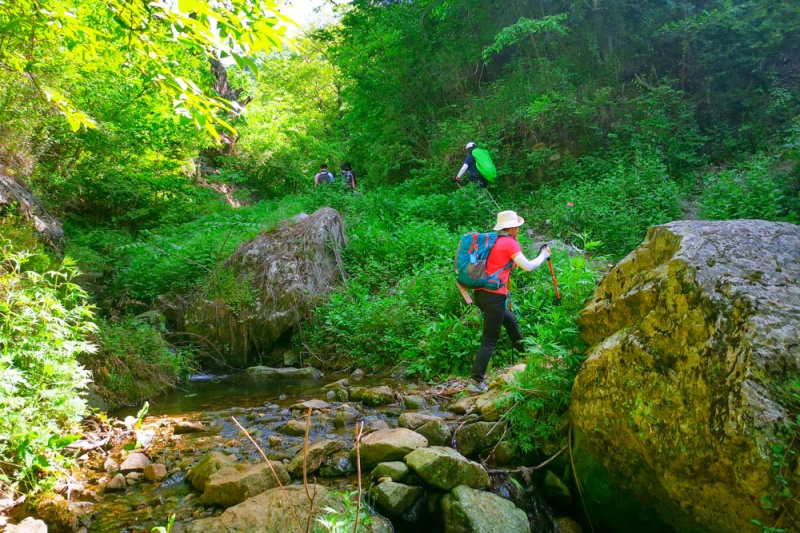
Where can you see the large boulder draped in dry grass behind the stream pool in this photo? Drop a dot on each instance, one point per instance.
(267, 286)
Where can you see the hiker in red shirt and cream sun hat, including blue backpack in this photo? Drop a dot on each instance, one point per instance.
(484, 262)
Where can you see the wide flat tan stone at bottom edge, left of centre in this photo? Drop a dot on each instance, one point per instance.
(269, 512)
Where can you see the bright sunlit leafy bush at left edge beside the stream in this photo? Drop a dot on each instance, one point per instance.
(44, 323)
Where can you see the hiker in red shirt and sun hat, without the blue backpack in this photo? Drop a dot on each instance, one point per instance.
(494, 303)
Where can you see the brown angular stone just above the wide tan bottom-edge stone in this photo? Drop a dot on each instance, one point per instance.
(231, 485)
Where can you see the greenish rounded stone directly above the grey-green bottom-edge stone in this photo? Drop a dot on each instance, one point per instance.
(445, 468)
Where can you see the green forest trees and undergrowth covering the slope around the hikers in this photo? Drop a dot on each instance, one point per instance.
(161, 150)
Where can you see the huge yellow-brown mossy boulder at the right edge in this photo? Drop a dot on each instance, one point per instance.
(685, 395)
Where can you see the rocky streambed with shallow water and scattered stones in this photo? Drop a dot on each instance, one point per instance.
(432, 459)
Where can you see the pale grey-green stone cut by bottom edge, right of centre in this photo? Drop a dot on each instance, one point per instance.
(474, 511)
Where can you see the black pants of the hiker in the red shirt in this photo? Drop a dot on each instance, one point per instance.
(495, 316)
